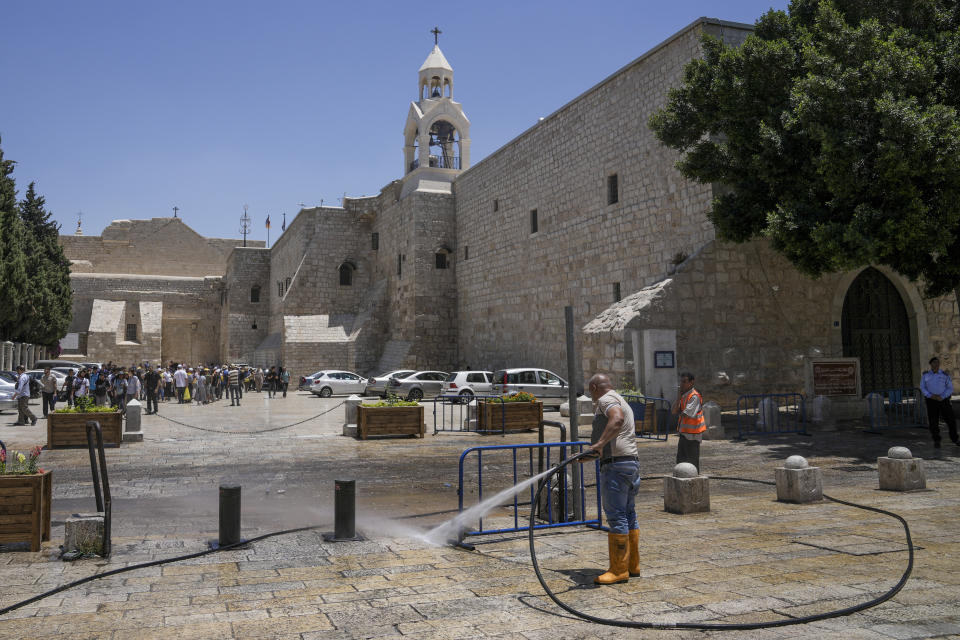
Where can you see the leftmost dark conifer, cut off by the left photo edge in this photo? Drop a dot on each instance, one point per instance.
(14, 312)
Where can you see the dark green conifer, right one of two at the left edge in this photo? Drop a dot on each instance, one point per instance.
(49, 296)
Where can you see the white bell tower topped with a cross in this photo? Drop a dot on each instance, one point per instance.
(437, 134)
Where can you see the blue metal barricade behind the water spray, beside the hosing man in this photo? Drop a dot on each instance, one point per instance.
(558, 506)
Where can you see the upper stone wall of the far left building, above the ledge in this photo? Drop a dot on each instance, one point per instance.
(159, 246)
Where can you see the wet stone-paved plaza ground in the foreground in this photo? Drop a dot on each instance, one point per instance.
(749, 559)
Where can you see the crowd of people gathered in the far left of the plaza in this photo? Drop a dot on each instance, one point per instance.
(113, 385)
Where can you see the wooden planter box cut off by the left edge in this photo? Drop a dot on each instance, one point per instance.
(25, 508)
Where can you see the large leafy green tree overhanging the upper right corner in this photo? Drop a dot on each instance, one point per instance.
(832, 131)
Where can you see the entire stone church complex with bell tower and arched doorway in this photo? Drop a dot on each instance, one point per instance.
(455, 265)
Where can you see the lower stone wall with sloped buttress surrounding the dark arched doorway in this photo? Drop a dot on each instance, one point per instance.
(746, 320)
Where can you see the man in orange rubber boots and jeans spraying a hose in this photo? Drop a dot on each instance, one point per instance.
(614, 442)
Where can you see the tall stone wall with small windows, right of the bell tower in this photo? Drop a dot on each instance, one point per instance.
(513, 283)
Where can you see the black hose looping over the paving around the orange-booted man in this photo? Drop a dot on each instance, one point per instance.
(742, 626)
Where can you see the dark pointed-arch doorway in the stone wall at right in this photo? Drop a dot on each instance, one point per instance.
(876, 329)
